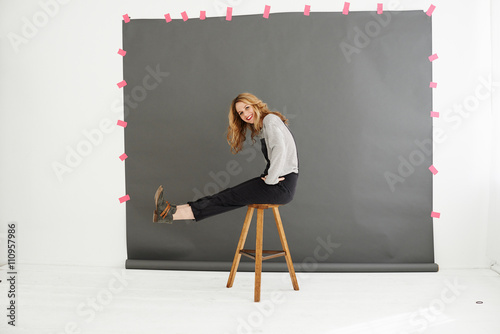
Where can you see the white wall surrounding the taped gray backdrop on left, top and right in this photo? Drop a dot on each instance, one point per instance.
(61, 84)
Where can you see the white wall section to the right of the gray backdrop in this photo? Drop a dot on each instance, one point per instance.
(461, 37)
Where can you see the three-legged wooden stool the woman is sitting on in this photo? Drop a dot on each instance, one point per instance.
(256, 253)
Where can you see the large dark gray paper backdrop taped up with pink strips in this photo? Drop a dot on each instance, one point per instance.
(356, 91)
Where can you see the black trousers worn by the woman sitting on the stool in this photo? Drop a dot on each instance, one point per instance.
(253, 191)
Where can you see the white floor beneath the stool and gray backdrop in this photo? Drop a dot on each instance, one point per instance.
(56, 300)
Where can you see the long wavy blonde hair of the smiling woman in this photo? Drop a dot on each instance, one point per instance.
(237, 129)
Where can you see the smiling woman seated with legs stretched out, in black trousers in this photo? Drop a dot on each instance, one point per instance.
(275, 186)
